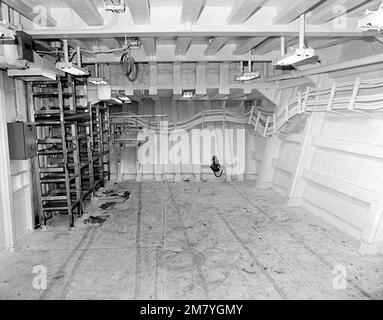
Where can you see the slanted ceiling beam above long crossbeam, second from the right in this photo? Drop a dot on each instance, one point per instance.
(293, 11)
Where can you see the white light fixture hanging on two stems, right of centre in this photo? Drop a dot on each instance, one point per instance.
(298, 54)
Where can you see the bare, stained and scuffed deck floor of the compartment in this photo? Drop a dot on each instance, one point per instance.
(190, 240)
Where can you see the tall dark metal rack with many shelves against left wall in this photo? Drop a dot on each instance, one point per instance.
(72, 139)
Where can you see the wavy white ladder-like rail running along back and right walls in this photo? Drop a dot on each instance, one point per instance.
(340, 98)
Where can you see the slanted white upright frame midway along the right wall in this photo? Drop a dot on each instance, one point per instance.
(313, 129)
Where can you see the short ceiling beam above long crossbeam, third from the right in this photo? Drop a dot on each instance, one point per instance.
(244, 9)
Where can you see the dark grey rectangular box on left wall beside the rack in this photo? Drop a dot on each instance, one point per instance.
(22, 140)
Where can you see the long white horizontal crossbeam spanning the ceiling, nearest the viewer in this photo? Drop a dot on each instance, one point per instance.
(266, 29)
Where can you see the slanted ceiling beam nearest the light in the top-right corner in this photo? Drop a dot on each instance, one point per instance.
(333, 9)
